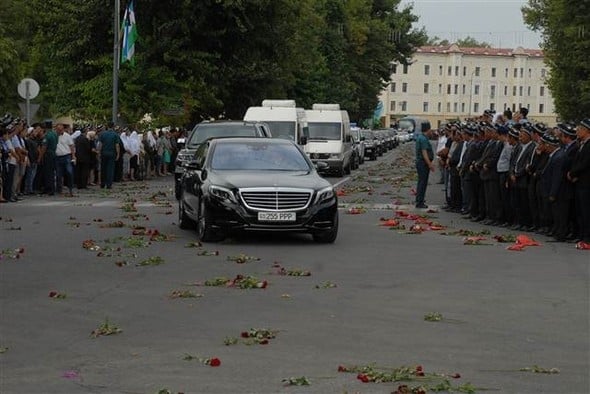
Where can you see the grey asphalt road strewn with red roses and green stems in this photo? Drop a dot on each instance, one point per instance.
(502, 311)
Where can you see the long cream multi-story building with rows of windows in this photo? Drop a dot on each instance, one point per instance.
(448, 82)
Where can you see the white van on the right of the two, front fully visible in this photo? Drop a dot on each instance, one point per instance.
(330, 139)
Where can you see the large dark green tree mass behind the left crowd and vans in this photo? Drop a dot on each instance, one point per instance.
(209, 58)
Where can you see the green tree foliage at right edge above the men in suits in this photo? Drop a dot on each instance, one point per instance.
(566, 45)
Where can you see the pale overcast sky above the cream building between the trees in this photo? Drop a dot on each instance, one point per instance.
(498, 22)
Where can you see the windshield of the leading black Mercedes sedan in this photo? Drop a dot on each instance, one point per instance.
(258, 156)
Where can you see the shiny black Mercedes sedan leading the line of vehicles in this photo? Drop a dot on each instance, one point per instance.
(256, 184)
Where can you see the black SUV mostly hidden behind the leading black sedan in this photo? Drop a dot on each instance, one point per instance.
(207, 130)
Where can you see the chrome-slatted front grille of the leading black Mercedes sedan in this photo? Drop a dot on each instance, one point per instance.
(276, 199)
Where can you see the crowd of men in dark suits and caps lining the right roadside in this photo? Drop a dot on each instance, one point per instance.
(503, 170)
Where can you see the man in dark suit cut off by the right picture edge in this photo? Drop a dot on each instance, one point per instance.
(579, 175)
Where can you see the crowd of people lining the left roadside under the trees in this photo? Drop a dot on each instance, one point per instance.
(53, 159)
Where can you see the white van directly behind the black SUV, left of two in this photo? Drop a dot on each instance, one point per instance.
(283, 117)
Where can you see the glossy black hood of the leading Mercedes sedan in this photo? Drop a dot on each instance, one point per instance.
(243, 179)
